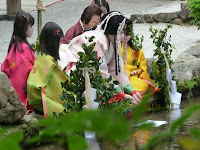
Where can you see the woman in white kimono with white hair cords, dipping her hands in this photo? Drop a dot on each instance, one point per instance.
(107, 38)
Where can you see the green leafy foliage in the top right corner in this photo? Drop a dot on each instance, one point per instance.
(194, 7)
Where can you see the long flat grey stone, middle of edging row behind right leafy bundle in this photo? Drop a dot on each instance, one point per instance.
(165, 17)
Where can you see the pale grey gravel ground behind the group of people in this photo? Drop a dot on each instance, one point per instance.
(67, 13)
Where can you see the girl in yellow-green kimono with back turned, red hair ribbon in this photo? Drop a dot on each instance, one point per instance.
(44, 81)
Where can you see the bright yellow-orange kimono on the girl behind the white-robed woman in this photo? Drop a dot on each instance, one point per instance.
(141, 82)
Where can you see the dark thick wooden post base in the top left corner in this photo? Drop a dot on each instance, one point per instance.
(13, 7)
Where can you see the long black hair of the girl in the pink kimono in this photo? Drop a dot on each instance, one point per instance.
(21, 23)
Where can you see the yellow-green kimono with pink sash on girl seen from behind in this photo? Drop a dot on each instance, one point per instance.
(44, 85)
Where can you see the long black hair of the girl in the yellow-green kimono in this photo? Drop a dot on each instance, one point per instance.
(50, 37)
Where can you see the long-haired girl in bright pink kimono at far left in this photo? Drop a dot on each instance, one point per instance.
(21, 57)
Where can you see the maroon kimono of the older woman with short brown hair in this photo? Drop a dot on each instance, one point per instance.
(75, 30)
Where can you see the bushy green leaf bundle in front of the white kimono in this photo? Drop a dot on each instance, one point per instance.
(74, 86)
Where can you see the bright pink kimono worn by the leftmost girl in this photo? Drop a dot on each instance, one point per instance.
(17, 67)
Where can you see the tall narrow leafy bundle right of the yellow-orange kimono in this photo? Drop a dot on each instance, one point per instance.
(158, 72)
